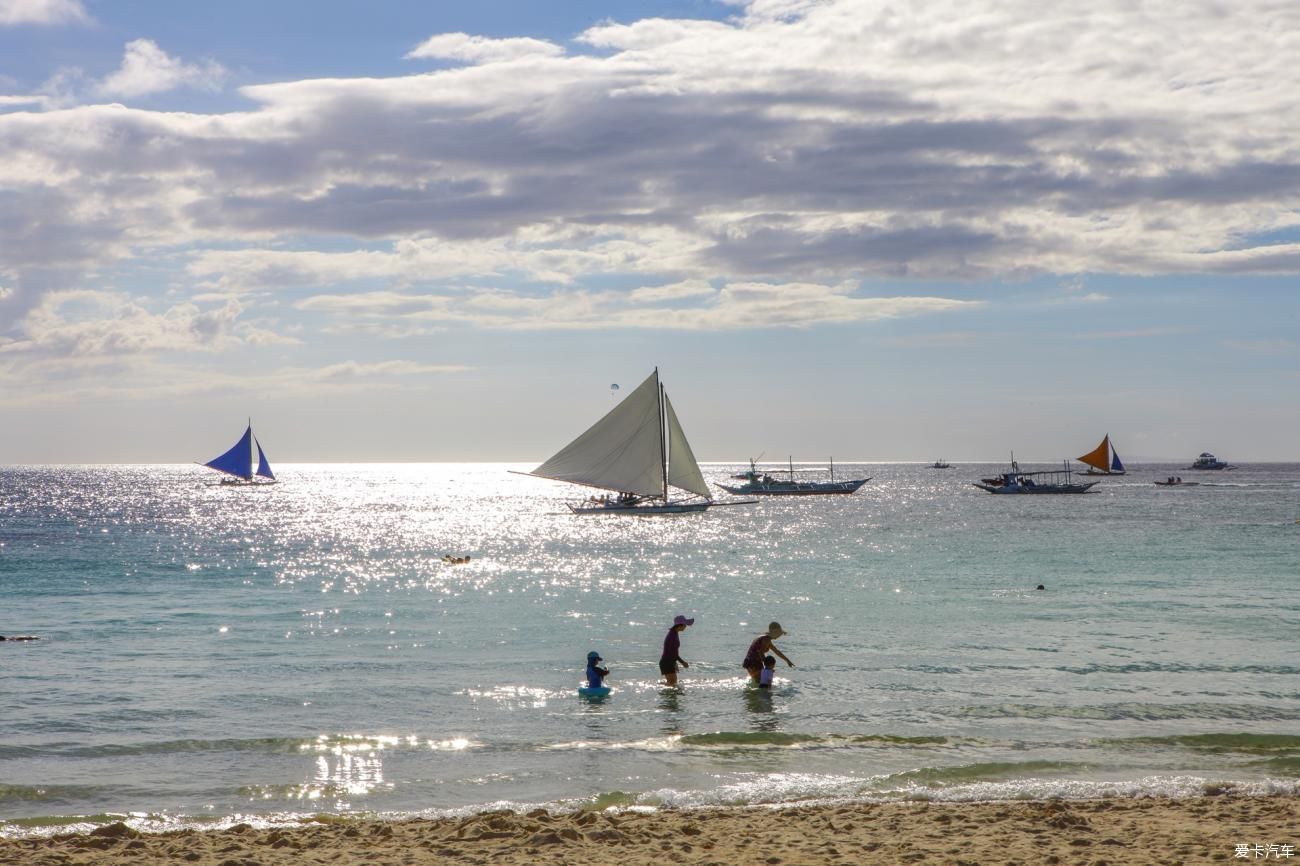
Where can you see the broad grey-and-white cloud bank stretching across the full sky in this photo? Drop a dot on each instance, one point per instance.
(762, 172)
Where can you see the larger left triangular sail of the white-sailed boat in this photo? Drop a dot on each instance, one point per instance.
(622, 452)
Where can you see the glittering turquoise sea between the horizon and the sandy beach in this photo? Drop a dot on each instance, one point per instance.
(213, 656)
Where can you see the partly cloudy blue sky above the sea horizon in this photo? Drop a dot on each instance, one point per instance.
(398, 231)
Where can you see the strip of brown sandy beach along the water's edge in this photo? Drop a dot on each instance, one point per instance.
(1113, 833)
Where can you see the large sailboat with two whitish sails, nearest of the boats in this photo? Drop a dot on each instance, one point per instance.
(639, 452)
